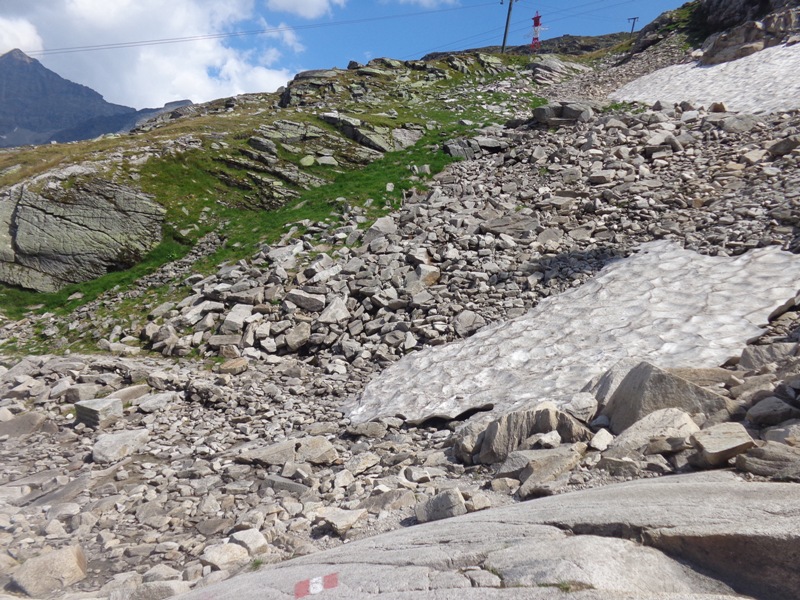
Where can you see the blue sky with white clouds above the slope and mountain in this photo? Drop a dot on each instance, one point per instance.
(295, 35)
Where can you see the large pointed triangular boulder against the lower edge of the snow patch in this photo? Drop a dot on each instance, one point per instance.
(647, 389)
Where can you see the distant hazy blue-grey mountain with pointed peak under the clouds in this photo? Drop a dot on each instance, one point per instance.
(38, 106)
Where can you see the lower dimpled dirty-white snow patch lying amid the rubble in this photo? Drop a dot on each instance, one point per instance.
(667, 305)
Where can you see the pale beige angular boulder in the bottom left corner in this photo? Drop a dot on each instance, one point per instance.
(51, 572)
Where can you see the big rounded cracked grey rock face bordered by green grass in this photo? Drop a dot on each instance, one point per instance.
(47, 242)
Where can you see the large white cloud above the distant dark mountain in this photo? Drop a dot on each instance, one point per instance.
(150, 75)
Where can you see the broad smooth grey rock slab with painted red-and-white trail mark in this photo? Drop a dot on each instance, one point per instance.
(712, 521)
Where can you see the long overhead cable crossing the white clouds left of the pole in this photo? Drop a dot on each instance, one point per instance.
(232, 34)
